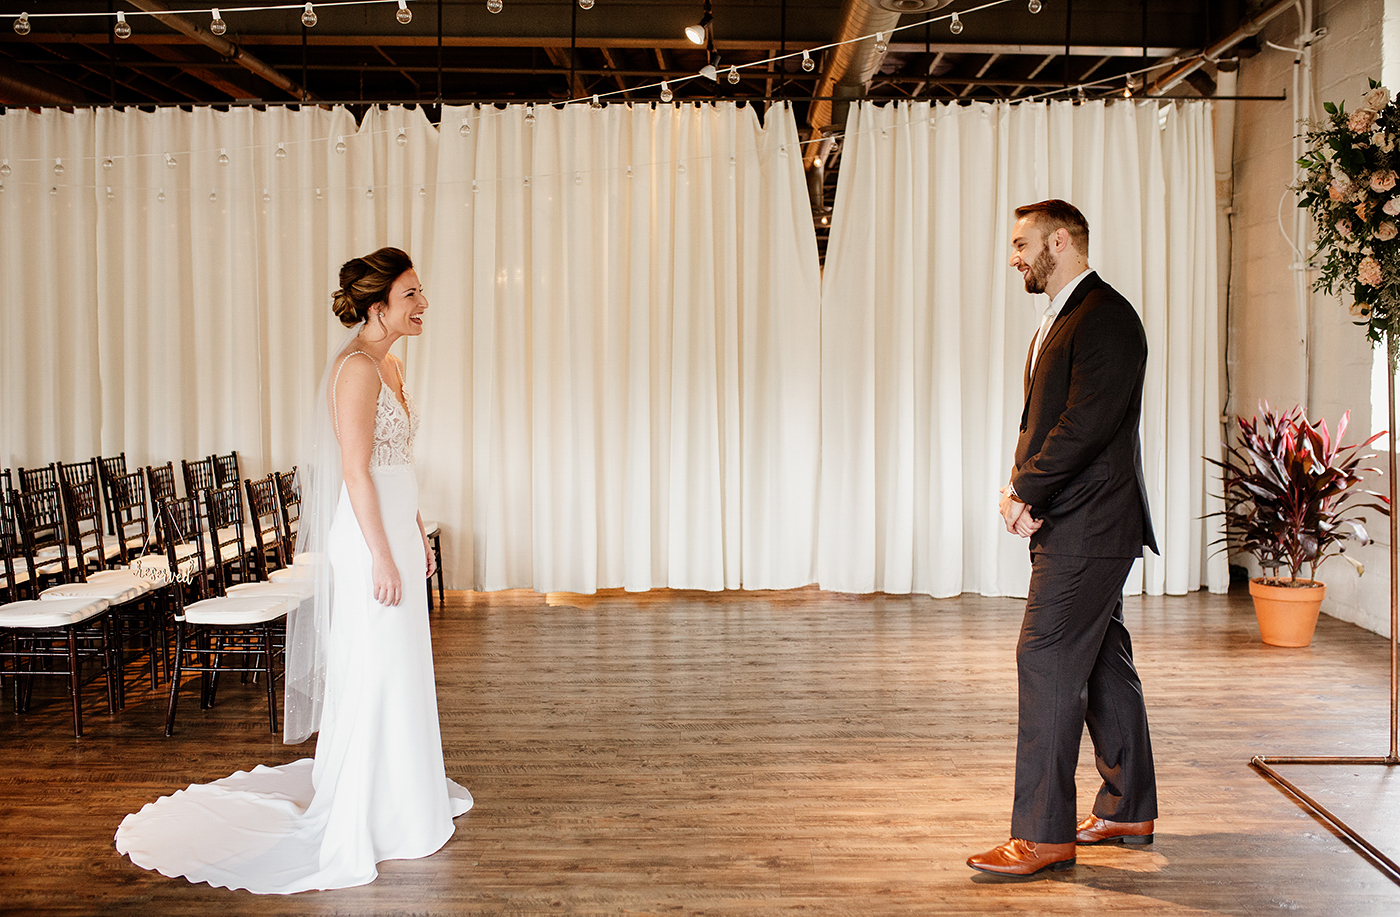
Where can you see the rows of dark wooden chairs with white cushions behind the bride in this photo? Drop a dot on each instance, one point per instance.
(76, 601)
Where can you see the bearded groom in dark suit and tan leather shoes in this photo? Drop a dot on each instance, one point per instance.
(1077, 493)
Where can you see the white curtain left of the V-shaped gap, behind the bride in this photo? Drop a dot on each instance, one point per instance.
(621, 370)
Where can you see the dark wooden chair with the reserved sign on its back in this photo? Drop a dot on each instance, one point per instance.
(218, 633)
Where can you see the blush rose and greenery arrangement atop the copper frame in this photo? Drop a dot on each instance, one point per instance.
(1353, 167)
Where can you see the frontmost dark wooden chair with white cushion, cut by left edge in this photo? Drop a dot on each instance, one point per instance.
(52, 638)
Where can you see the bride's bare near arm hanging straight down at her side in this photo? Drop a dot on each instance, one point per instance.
(358, 397)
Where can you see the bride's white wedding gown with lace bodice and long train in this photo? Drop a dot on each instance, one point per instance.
(377, 789)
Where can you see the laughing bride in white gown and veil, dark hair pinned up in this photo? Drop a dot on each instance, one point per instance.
(359, 654)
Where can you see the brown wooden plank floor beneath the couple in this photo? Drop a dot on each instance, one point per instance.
(761, 754)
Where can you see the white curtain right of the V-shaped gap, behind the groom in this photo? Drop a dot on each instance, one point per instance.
(926, 330)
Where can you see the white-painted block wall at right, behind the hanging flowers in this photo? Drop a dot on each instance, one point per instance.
(1268, 356)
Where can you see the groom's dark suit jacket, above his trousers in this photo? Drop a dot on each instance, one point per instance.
(1079, 456)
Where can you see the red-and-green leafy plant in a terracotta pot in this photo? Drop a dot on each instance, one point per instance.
(1291, 502)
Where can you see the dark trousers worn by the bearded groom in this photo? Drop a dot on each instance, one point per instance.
(1074, 666)
